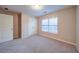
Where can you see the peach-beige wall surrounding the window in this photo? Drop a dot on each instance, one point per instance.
(66, 25)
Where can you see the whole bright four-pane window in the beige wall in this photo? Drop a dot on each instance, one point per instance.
(50, 25)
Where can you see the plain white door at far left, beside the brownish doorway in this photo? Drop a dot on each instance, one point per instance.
(6, 27)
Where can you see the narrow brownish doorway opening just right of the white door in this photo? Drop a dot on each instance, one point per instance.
(17, 26)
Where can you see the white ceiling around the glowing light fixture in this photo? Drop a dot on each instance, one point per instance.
(28, 10)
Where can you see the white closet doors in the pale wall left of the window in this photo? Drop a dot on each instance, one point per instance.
(32, 26)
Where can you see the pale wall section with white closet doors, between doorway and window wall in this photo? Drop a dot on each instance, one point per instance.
(28, 25)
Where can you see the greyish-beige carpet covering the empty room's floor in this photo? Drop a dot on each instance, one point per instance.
(36, 44)
